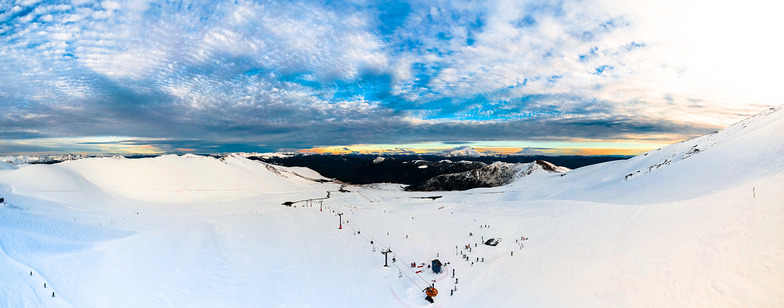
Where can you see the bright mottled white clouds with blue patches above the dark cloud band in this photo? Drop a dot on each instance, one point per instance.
(702, 62)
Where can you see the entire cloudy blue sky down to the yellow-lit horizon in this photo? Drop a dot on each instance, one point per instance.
(556, 77)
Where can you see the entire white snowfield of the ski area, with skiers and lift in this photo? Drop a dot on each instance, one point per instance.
(698, 223)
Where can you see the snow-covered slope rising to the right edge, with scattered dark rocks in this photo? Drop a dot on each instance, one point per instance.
(747, 150)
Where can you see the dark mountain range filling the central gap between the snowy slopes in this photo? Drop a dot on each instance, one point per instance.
(416, 170)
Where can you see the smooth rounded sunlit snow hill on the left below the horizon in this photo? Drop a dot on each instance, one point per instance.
(168, 178)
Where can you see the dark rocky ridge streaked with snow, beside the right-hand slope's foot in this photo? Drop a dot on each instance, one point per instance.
(495, 174)
